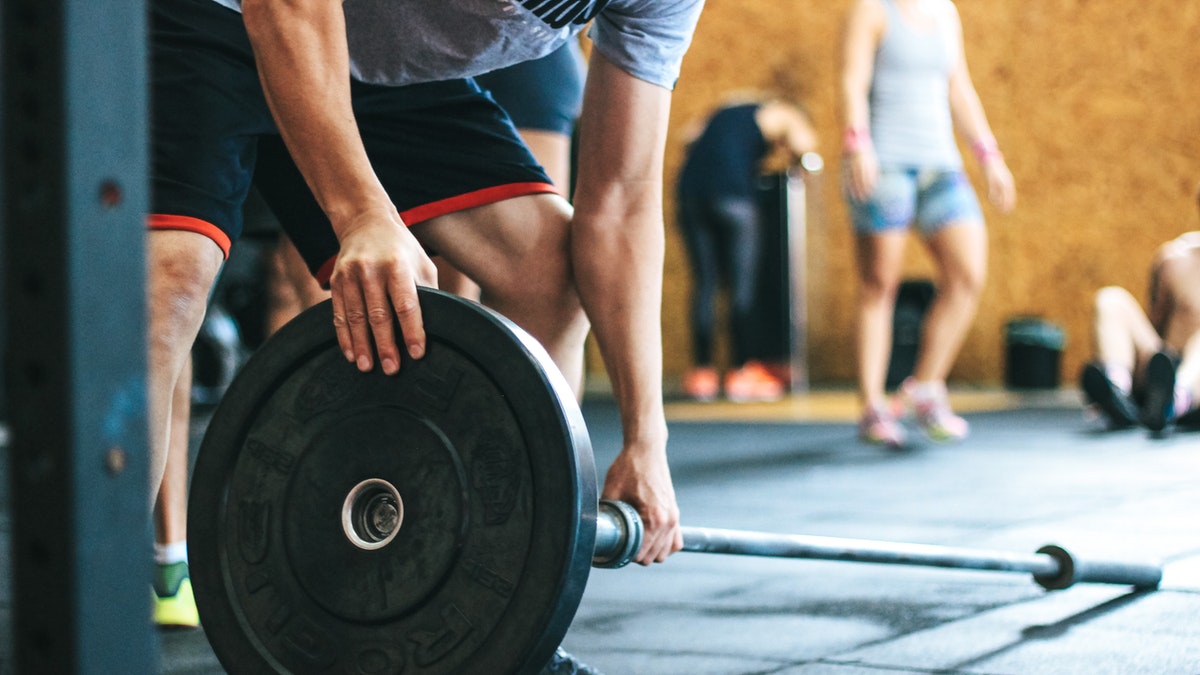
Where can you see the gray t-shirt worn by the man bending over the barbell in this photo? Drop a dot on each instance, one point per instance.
(411, 41)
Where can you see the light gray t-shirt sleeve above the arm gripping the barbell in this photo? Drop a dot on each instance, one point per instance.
(647, 39)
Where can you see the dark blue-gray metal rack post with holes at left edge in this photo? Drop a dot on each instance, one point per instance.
(75, 136)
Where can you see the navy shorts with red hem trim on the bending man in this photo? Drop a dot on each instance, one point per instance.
(437, 148)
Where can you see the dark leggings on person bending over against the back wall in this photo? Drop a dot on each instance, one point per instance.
(723, 238)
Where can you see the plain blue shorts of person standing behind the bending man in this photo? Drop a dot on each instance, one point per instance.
(545, 94)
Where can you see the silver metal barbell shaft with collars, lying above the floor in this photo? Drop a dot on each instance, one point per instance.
(620, 535)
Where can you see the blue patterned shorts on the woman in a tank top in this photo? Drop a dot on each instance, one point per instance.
(928, 199)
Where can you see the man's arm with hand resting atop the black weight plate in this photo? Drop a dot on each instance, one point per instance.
(304, 63)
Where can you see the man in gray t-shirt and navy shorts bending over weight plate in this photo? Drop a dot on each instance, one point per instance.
(370, 172)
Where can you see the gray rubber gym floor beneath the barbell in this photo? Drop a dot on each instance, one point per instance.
(1034, 473)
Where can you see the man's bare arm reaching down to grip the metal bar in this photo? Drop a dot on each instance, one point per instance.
(617, 250)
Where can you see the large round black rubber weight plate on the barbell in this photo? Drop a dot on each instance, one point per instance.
(487, 449)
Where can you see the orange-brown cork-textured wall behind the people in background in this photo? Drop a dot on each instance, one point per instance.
(1096, 106)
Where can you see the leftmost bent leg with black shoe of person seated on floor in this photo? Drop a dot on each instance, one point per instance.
(1123, 341)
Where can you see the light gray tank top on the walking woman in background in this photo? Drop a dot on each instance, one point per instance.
(910, 103)
